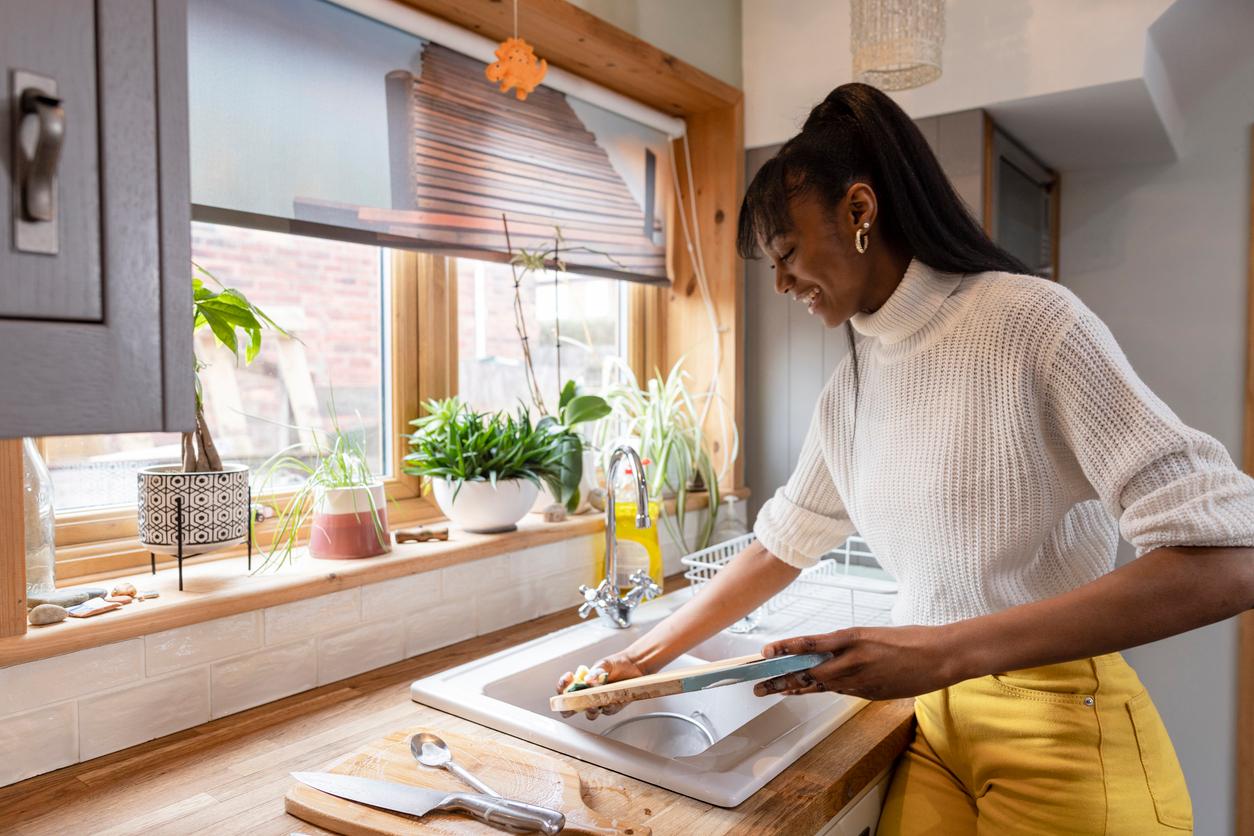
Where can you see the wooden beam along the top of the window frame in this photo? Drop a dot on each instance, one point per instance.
(586, 46)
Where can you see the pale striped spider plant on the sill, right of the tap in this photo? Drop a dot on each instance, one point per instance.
(667, 423)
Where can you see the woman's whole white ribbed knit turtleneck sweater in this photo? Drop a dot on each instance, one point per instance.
(1000, 437)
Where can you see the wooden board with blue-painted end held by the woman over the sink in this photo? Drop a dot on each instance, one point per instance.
(725, 672)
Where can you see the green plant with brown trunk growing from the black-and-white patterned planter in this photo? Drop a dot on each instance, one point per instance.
(236, 324)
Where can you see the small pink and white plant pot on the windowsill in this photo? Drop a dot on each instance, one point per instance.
(350, 523)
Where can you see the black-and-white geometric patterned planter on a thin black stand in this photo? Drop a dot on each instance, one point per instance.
(215, 508)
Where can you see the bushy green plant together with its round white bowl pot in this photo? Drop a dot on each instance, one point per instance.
(486, 469)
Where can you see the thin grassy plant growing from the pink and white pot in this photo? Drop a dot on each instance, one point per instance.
(340, 463)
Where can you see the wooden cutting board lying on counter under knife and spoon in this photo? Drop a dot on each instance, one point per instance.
(527, 776)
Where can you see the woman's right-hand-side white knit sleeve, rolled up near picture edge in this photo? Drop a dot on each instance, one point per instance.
(1166, 483)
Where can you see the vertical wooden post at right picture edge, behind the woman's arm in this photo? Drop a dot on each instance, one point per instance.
(1246, 652)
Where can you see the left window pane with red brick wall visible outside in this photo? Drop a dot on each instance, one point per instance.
(332, 298)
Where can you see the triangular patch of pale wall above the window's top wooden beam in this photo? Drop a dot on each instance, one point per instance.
(703, 33)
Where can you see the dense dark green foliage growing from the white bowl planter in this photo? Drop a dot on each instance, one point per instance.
(456, 443)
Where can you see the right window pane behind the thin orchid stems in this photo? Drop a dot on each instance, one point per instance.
(574, 325)
